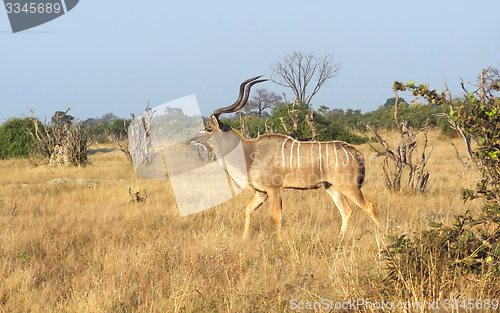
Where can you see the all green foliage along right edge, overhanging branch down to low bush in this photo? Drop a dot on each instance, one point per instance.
(469, 249)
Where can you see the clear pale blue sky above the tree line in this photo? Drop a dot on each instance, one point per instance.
(115, 56)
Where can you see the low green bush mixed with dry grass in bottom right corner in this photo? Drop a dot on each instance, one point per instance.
(436, 260)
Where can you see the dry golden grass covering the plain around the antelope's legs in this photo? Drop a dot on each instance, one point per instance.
(83, 246)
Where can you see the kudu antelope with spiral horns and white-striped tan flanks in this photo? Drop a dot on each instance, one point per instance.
(275, 161)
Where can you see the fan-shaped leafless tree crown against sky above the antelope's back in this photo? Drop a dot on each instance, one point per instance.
(299, 70)
